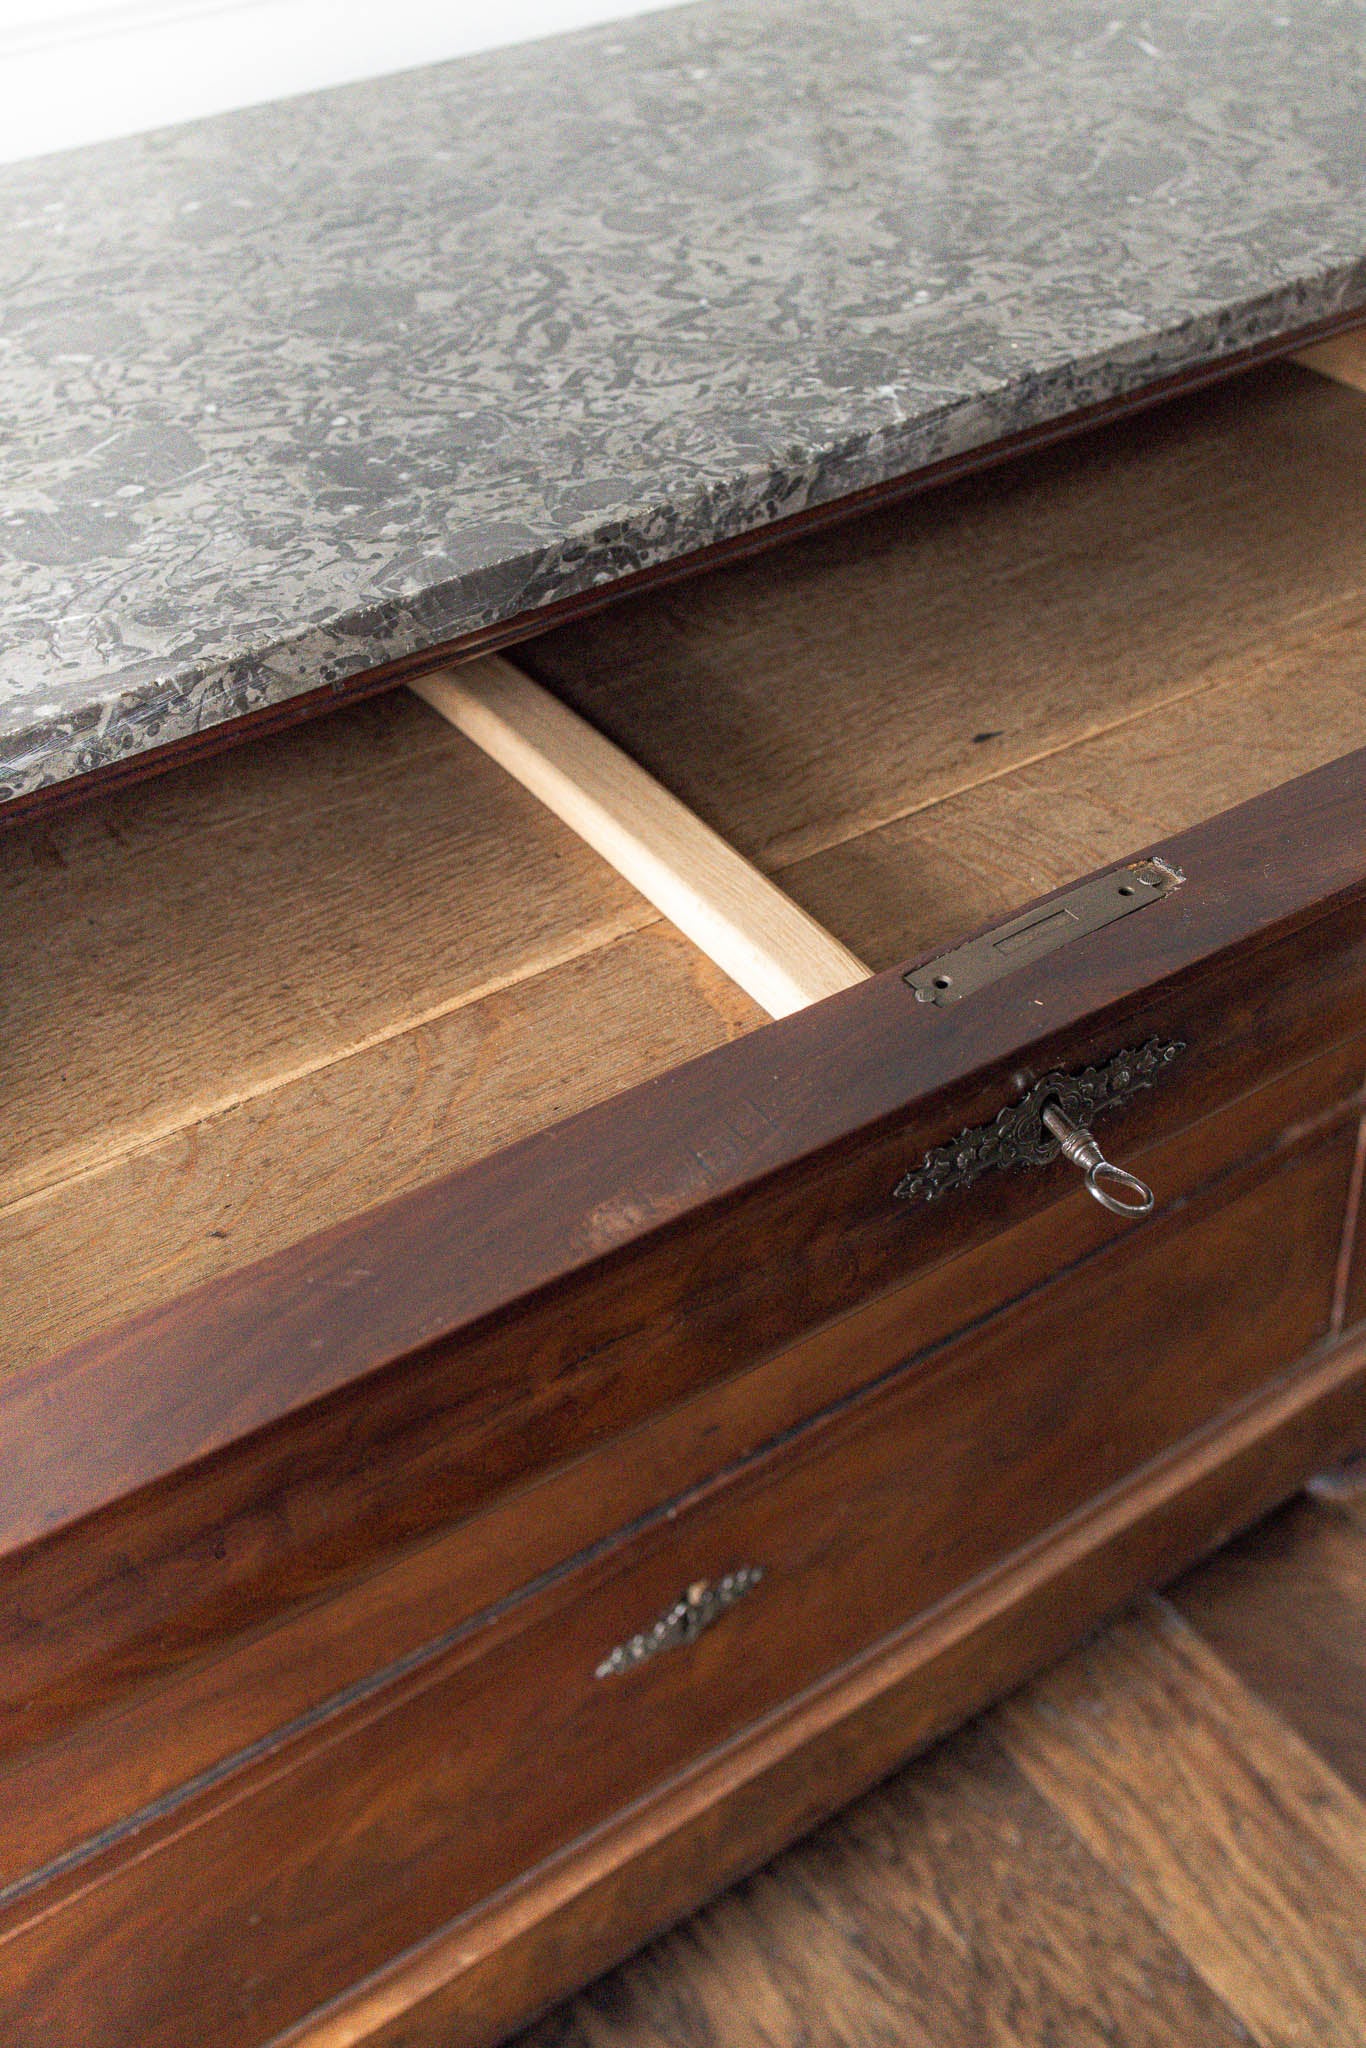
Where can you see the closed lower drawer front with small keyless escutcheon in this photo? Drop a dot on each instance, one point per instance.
(247, 1908)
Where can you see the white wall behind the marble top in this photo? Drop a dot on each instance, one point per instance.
(83, 71)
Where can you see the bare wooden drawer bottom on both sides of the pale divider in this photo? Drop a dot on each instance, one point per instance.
(269, 990)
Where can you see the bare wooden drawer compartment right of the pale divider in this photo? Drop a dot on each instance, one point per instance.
(929, 718)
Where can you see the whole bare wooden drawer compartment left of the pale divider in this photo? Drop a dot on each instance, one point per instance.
(257, 996)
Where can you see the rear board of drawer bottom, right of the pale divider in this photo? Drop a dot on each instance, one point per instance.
(865, 675)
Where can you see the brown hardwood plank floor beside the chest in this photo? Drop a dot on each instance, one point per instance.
(1158, 1842)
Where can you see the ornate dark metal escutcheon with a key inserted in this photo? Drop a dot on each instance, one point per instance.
(1054, 1119)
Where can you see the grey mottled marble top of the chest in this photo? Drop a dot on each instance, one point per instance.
(292, 392)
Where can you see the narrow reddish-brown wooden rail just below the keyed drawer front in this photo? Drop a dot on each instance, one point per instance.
(62, 1793)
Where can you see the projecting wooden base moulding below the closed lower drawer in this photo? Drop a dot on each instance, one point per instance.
(583, 1914)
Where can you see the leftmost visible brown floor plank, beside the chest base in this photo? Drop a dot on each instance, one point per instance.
(949, 1910)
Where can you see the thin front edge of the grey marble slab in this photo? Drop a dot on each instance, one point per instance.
(175, 706)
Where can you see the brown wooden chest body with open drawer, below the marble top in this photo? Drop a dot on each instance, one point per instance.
(409, 1607)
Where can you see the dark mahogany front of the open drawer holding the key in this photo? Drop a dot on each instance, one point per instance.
(345, 1484)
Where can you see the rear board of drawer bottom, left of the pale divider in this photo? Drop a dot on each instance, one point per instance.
(259, 919)
